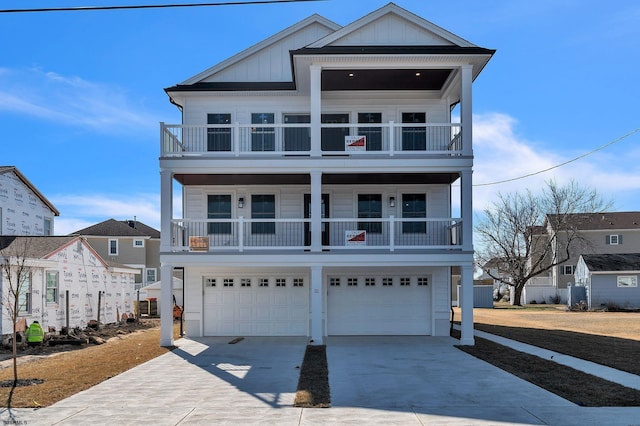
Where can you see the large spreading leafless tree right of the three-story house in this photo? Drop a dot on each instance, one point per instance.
(528, 234)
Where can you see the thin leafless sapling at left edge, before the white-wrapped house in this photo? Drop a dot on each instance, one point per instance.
(15, 273)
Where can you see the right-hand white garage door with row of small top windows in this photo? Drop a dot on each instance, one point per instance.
(379, 306)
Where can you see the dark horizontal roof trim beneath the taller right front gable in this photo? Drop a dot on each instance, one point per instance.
(393, 50)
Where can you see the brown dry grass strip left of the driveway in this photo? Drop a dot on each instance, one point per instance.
(69, 372)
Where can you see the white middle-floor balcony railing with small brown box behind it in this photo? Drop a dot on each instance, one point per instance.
(242, 234)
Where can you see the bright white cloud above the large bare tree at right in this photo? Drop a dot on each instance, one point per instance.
(502, 154)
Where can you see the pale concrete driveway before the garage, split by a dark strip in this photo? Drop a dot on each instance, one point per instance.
(374, 380)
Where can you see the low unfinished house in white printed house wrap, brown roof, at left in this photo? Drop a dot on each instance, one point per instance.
(64, 281)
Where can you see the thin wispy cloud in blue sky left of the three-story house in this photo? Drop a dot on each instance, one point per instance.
(71, 101)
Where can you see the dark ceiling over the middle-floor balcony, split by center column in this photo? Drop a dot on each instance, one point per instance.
(327, 179)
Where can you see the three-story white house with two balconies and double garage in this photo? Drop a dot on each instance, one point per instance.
(316, 171)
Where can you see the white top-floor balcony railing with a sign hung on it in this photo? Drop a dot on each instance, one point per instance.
(295, 140)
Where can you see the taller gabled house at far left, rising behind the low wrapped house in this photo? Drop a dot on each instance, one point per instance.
(23, 209)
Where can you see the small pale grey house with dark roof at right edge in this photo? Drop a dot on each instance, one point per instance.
(610, 279)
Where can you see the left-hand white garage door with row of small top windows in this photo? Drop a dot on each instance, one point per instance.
(273, 306)
